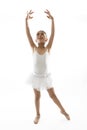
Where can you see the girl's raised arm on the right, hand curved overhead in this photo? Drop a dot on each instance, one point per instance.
(52, 29)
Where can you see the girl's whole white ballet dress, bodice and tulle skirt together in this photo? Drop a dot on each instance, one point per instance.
(41, 78)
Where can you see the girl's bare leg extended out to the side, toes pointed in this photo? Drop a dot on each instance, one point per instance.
(57, 102)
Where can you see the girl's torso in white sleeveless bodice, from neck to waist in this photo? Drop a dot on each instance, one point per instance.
(41, 61)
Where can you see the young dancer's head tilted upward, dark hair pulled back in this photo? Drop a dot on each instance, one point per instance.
(41, 37)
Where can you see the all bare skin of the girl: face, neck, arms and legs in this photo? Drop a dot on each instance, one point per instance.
(41, 39)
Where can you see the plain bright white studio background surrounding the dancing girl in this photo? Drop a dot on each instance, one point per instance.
(68, 64)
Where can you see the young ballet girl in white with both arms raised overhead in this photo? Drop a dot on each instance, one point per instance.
(41, 77)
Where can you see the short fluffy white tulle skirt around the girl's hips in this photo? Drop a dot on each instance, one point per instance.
(40, 81)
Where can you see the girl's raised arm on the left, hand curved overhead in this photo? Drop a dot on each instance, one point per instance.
(28, 17)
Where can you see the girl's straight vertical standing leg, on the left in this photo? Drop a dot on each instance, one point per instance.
(37, 105)
